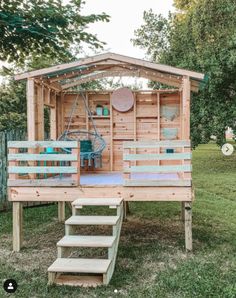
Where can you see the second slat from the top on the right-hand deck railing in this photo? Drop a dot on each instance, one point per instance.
(164, 156)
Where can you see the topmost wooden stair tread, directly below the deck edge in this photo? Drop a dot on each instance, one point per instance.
(114, 202)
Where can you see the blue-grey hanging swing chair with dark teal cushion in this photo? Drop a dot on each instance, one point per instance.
(91, 143)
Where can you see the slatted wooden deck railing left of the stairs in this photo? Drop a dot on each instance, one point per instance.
(43, 163)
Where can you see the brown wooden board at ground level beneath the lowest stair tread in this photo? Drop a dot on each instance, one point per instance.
(79, 280)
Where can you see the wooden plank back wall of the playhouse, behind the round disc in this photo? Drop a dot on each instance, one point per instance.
(142, 122)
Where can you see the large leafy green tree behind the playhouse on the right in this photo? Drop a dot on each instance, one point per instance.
(201, 37)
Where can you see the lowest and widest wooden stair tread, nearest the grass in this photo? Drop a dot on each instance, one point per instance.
(72, 265)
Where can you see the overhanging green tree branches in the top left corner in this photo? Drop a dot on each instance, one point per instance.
(39, 27)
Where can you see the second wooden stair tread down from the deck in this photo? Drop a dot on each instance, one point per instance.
(92, 220)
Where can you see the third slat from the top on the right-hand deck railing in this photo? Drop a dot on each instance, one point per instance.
(158, 169)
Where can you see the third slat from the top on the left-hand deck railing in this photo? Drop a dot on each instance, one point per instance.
(42, 170)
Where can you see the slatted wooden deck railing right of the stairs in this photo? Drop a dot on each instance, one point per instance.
(145, 160)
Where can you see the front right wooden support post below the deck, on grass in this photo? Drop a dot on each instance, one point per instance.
(188, 226)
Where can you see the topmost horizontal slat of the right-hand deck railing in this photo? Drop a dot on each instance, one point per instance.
(156, 144)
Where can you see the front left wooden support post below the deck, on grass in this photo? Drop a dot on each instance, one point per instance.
(17, 212)
